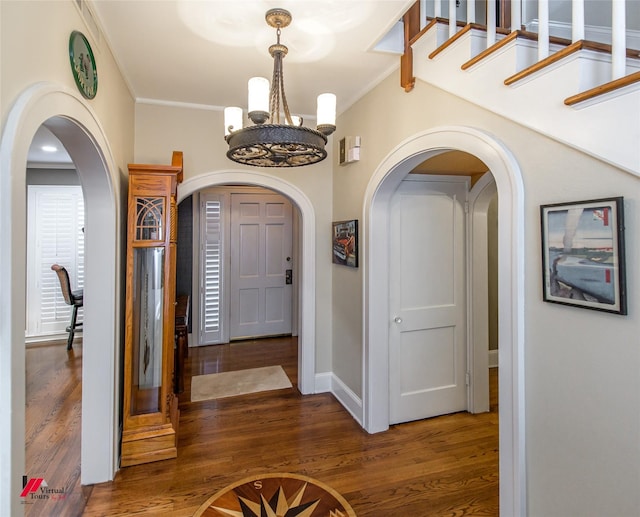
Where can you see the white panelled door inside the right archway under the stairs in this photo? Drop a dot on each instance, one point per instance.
(427, 349)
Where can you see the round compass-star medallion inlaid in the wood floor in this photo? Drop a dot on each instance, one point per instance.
(276, 495)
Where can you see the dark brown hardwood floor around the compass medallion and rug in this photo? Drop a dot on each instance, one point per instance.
(437, 467)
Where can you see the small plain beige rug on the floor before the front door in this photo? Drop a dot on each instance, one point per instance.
(230, 384)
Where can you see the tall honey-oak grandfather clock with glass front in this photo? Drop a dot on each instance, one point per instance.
(150, 408)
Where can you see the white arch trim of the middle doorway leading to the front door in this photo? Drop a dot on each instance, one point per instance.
(306, 339)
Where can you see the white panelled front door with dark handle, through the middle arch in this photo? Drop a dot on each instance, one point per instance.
(261, 265)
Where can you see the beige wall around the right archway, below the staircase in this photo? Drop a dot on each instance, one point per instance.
(582, 368)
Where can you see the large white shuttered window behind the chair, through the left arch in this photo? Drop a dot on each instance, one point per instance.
(55, 236)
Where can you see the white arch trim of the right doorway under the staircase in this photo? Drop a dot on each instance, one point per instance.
(382, 185)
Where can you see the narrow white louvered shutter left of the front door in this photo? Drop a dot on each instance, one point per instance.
(211, 269)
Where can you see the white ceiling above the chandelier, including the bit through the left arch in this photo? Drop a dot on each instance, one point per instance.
(203, 52)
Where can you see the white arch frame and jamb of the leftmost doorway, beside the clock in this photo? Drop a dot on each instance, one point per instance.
(77, 127)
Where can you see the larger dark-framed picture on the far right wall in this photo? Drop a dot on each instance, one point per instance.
(583, 254)
